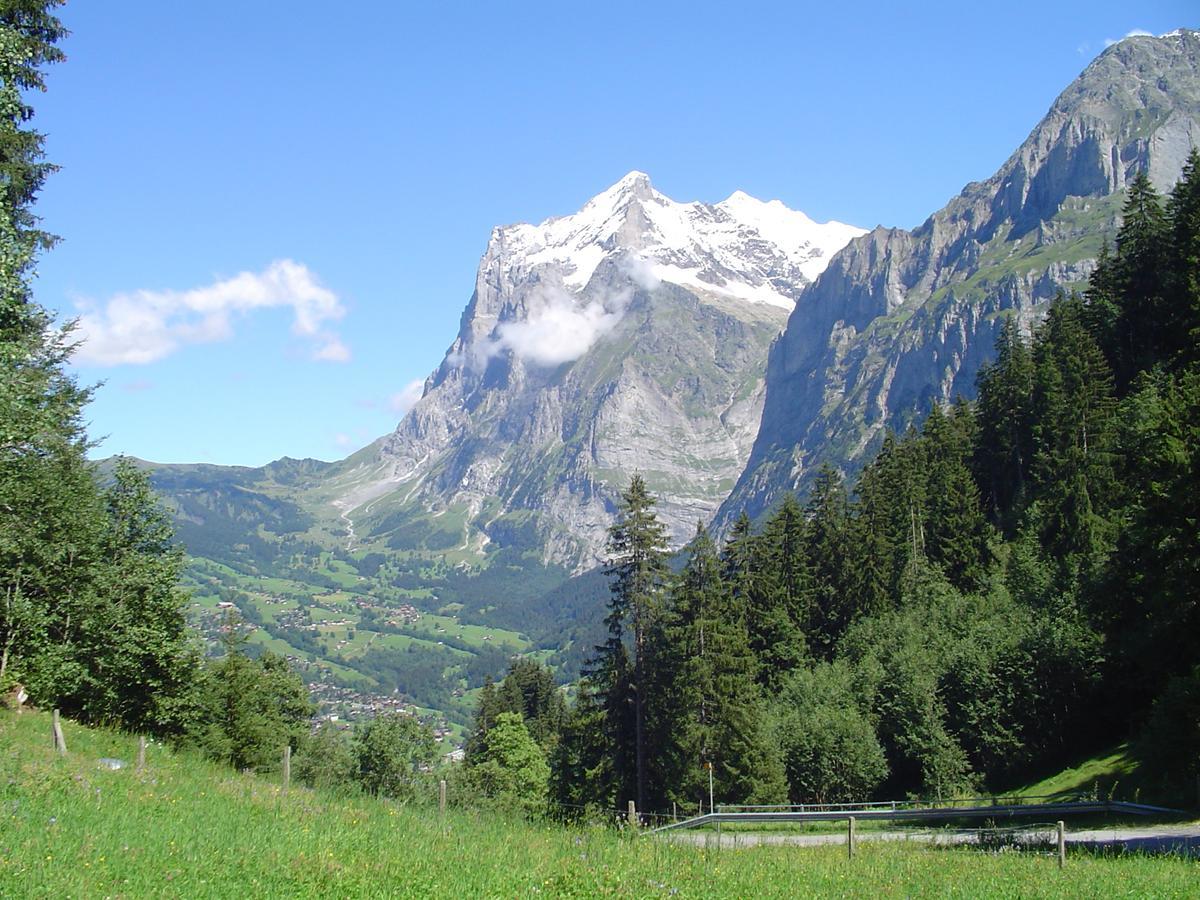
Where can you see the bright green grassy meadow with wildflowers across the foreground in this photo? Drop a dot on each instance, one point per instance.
(188, 829)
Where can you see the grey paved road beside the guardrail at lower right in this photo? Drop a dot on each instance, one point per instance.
(1149, 839)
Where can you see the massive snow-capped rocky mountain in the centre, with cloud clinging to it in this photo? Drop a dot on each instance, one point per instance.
(629, 338)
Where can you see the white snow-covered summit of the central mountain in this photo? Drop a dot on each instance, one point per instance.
(760, 253)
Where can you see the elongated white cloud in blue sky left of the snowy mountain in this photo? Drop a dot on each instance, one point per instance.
(147, 326)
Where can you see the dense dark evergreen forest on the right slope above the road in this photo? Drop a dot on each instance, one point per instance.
(1007, 587)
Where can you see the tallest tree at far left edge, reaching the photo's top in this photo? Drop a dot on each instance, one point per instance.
(49, 505)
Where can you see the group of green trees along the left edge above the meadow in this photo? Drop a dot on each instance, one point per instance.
(92, 615)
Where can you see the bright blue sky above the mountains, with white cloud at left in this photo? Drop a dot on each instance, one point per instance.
(317, 187)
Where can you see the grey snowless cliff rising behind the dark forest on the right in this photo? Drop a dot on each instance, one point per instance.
(904, 320)
